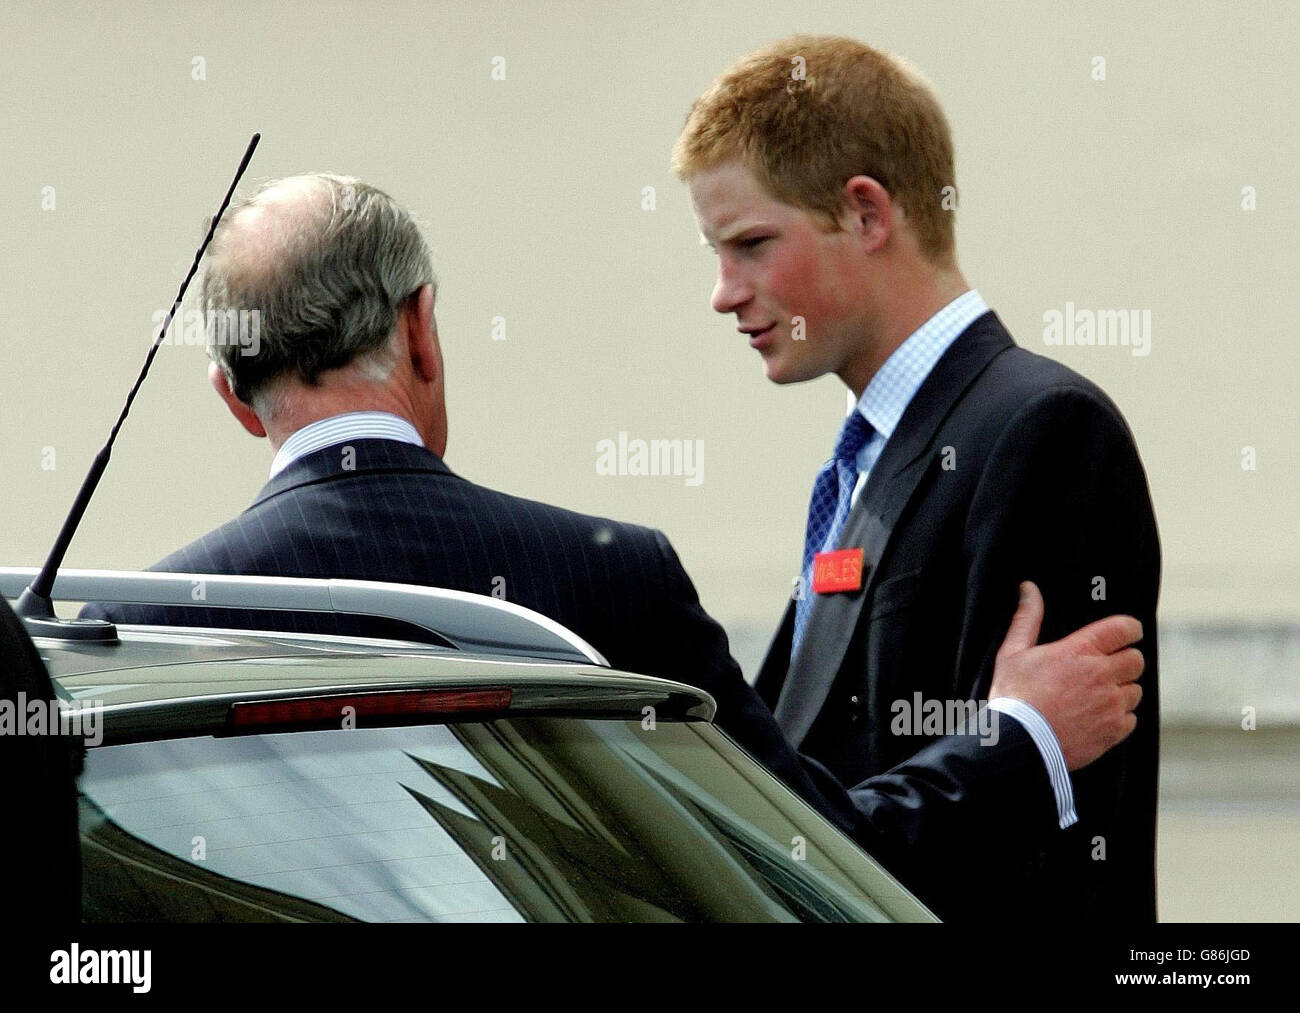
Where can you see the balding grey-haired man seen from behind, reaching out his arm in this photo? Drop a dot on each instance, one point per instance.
(348, 386)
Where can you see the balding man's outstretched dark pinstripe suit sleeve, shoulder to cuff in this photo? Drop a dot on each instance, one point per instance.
(909, 817)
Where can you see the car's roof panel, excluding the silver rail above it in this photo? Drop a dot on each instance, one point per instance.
(175, 681)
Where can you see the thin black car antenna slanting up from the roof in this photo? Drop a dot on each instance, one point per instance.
(36, 605)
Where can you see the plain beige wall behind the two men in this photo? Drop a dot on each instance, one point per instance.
(1124, 193)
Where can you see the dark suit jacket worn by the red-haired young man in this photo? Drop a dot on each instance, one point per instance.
(1006, 467)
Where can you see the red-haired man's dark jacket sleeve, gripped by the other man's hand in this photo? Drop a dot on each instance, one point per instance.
(1064, 503)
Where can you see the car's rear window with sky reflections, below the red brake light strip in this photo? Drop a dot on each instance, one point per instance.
(532, 819)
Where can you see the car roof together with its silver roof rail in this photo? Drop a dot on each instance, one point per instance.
(166, 681)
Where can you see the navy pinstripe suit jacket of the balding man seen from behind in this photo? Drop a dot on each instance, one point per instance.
(398, 514)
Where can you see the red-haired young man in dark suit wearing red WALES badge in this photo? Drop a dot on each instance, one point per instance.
(822, 174)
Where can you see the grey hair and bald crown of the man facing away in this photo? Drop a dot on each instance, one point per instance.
(327, 280)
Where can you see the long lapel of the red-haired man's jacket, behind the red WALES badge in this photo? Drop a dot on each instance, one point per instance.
(905, 460)
